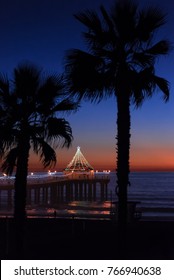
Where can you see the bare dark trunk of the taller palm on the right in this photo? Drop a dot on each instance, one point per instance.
(123, 146)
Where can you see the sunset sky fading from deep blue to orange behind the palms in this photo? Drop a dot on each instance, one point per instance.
(40, 31)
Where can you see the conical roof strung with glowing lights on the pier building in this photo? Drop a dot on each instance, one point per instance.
(79, 163)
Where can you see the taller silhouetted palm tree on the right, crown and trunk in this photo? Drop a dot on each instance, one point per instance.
(120, 62)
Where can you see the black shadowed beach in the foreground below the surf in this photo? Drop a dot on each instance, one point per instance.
(88, 239)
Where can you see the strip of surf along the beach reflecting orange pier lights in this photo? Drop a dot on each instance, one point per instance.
(68, 211)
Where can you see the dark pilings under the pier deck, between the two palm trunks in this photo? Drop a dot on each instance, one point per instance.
(69, 190)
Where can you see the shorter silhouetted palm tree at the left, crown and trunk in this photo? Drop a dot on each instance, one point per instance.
(28, 119)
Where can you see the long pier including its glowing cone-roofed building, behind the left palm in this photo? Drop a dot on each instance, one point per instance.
(78, 182)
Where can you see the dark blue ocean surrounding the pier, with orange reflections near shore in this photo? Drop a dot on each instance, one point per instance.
(153, 192)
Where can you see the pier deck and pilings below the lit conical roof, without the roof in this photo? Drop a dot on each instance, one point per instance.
(51, 190)
